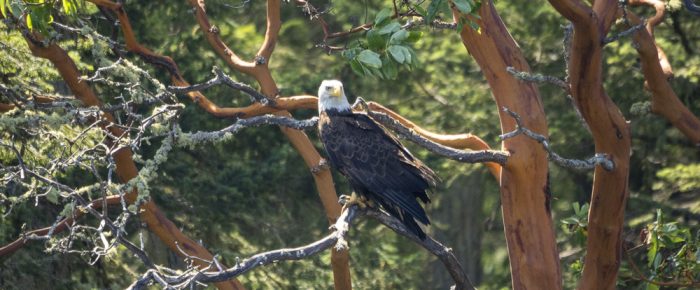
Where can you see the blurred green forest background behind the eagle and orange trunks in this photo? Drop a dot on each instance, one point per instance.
(252, 192)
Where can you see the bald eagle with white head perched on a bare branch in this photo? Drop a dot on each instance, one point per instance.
(375, 163)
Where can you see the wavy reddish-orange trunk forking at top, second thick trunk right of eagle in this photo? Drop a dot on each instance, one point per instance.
(611, 136)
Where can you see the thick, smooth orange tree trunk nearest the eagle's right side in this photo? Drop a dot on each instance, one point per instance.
(532, 248)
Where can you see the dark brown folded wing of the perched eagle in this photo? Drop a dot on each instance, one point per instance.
(378, 165)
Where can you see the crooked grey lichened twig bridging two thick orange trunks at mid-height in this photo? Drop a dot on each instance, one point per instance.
(588, 164)
